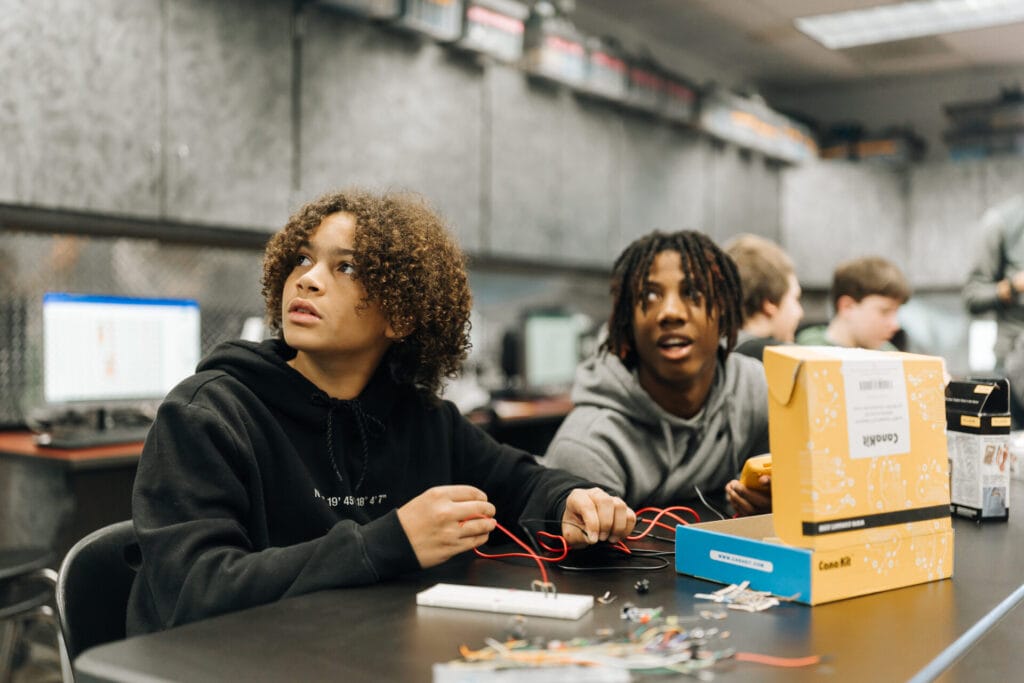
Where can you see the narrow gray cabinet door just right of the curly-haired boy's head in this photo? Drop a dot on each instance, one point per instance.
(526, 192)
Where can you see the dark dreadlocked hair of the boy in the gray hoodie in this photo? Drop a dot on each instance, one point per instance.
(709, 273)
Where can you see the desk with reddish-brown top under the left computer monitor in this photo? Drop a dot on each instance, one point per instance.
(54, 497)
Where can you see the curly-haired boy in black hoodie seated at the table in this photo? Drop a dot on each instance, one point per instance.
(323, 459)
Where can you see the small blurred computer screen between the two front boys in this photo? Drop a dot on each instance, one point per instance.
(550, 351)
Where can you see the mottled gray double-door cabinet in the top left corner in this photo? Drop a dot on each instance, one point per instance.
(159, 110)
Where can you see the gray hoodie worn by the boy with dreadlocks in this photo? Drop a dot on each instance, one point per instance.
(620, 439)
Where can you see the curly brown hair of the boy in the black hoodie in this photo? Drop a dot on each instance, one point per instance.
(411, 269)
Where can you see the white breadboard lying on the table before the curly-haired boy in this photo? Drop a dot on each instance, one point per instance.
(514, 602)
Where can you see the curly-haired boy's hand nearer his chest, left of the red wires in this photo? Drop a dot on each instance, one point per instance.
(444, 522)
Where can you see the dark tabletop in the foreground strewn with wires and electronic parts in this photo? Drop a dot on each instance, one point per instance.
(379, 634)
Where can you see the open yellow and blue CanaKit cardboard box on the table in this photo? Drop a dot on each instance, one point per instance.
(860, 481)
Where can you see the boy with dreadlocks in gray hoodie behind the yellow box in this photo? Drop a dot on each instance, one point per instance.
(664, 414)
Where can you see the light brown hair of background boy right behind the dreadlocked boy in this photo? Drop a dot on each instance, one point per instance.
(764, 272)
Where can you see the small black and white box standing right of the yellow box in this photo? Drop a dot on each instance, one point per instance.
(978, 437)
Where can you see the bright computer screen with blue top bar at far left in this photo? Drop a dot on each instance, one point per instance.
(104, 349)
